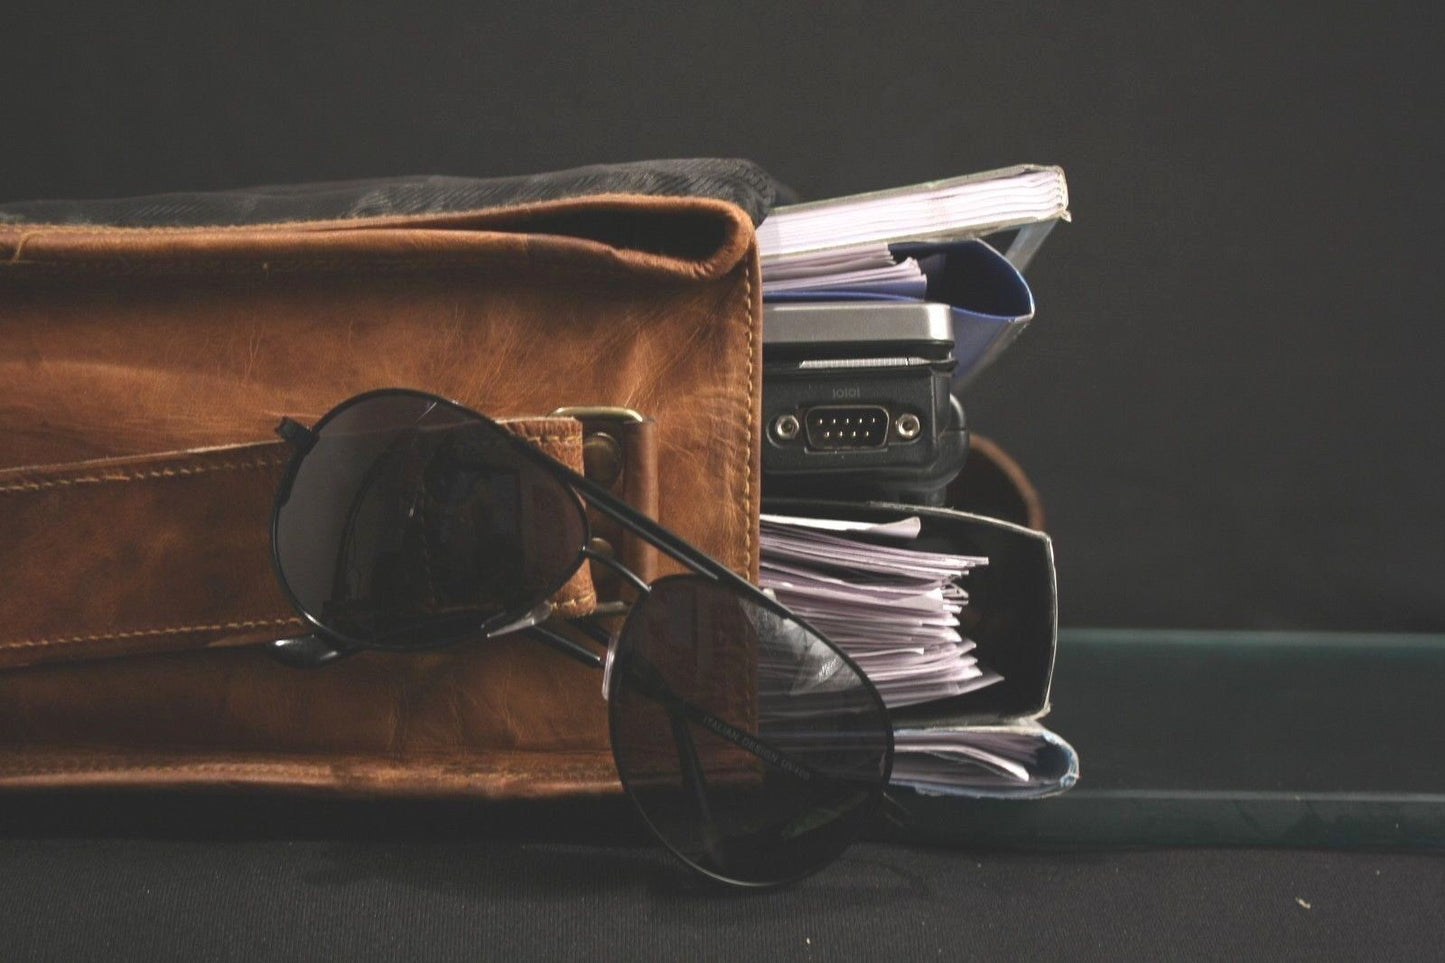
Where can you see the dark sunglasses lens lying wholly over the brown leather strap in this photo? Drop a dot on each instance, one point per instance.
(413, 523)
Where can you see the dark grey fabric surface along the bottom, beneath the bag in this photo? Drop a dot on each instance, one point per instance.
(282, 900)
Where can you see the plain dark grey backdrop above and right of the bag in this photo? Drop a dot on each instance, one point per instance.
(1229, 398)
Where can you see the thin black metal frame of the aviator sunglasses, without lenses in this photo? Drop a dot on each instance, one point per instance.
(324, 646)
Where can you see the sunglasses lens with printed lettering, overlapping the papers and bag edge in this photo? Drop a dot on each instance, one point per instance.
(754, 750)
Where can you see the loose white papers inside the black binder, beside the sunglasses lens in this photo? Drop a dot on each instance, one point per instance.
(891, 607)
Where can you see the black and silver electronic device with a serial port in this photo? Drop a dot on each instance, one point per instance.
(858, 401)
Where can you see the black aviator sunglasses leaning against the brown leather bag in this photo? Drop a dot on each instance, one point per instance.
(755, 750)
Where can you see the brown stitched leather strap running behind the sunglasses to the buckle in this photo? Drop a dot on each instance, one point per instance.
(173, 552)
